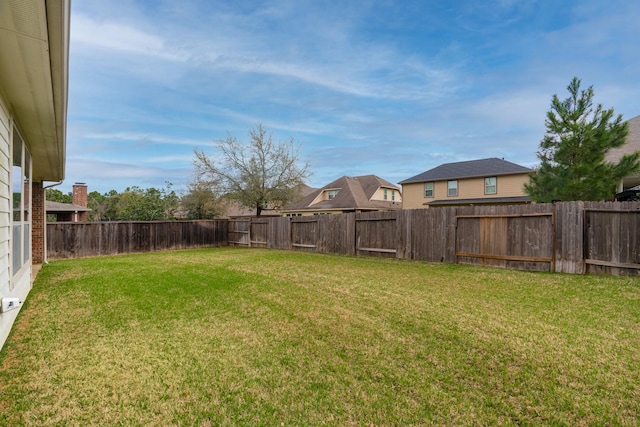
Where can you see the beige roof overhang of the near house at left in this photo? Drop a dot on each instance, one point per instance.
(34, 75)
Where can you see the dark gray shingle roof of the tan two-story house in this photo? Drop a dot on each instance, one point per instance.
(469, 169)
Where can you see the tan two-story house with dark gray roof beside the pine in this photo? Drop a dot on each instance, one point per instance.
(485, 181)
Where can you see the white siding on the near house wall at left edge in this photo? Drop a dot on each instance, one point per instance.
(21, 284)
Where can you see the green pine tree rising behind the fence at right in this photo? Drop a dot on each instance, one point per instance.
(572, 152)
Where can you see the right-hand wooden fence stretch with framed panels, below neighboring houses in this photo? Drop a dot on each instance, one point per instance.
(569, 237)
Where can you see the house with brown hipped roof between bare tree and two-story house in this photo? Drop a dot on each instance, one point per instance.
(349, 194)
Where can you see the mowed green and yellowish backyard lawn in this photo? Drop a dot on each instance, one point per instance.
(263, 337)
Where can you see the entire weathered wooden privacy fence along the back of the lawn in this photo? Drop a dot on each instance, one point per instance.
(568, 237)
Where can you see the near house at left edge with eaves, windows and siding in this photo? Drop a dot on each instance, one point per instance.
(34, 57)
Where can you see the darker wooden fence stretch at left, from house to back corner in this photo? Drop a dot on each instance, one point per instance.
(75, 240)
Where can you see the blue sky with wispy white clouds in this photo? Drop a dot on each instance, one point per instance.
(391, 88)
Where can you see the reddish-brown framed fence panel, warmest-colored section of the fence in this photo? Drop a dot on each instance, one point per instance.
(506, 240)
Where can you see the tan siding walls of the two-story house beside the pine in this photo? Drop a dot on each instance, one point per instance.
(472, 188)
